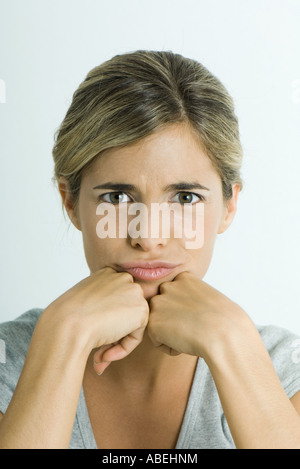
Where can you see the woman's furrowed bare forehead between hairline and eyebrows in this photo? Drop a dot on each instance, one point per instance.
(170, 153)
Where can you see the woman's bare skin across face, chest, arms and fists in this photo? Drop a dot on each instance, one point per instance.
(128, 330)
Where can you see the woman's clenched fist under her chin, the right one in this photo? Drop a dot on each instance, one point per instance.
(189, 316)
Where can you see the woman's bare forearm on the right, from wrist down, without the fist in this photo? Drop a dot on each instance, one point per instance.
(256, 407)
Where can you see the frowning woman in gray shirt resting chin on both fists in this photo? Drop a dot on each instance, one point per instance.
(143, 353)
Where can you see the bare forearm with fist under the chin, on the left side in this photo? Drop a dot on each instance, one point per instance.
(90, 315)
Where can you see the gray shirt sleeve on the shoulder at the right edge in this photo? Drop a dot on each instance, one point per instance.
(284, 349)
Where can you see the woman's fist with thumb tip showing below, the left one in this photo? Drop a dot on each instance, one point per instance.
(108, 310)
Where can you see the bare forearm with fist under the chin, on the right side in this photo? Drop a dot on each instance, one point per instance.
(191, 317)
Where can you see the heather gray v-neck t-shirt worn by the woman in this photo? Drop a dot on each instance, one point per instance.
(204, 425)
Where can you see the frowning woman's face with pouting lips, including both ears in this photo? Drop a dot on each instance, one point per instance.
(167, 167)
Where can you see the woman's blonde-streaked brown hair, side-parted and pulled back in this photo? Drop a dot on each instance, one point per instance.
(130, 96)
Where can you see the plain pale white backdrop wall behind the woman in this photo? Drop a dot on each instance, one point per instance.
(46, 49)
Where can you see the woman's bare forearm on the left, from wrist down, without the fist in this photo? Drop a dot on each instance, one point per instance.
(42, 411)
